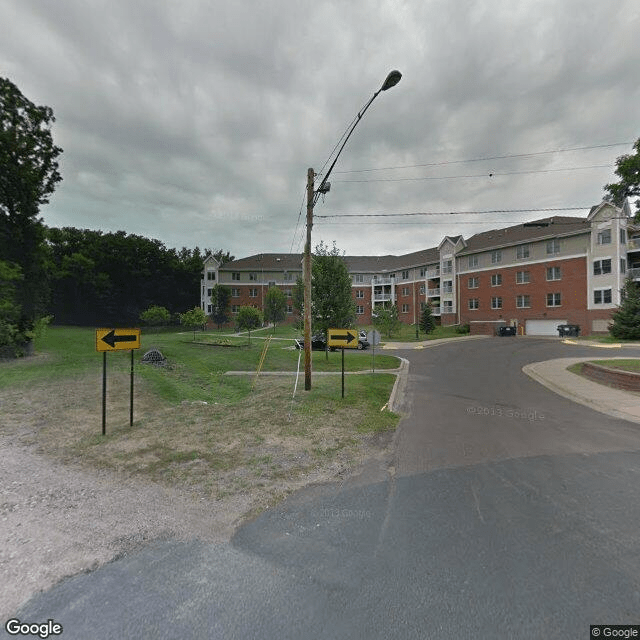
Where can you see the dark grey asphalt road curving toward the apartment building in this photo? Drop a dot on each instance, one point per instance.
(509, 512)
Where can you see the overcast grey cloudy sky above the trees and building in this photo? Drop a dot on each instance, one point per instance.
(194, 121)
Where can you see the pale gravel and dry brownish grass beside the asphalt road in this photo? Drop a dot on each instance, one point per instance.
(72, 500)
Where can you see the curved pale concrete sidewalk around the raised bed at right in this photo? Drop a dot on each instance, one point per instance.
(553, 374)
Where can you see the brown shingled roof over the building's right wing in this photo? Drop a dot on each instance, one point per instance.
(537, 230)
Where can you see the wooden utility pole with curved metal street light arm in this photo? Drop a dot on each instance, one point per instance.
(391, 80)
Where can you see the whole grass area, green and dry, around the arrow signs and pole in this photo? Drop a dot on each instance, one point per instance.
(194, 425)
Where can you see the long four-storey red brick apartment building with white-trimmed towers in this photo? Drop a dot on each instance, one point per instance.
(535, 276)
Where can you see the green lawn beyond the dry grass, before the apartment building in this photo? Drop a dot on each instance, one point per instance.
(195, 370)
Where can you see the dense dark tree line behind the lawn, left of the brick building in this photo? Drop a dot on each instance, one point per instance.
(107, 278)
